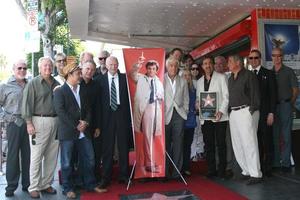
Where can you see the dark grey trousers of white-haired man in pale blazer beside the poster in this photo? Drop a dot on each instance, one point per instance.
(174, 143)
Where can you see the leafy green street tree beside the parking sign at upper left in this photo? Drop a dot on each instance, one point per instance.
(53, 25)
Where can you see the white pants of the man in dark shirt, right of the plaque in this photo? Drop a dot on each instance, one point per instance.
(243, 127)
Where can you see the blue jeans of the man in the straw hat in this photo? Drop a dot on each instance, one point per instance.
(87, 159)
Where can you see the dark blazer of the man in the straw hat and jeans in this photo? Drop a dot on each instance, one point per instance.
(69, 113)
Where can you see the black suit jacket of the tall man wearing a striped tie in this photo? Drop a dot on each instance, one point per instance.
(104, 102)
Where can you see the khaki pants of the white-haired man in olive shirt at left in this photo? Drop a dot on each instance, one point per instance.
(43, 153)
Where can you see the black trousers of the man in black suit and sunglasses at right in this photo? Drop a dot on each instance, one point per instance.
(265, 145)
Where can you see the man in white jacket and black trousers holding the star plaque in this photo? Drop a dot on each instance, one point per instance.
(214, 129)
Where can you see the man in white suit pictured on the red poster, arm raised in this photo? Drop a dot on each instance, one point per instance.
(147, 115)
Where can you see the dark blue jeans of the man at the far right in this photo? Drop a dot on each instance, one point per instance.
(282, 129)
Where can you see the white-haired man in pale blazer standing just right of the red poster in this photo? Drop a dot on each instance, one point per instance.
(176, 108)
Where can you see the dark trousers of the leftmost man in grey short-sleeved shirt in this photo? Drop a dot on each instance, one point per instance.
(18, 140)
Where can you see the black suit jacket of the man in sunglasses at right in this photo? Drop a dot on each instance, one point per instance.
(268, 92)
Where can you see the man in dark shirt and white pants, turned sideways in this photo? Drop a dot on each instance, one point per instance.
(244, 102)
